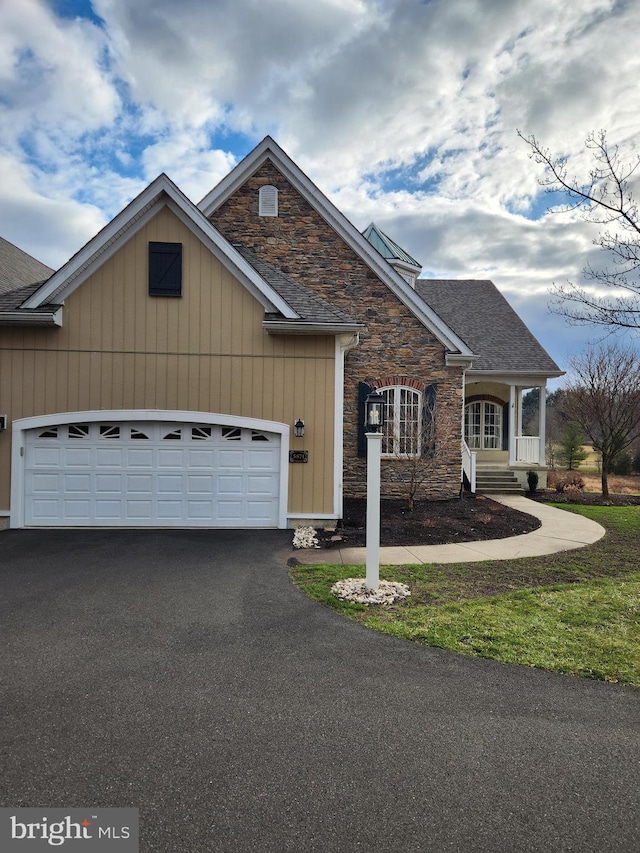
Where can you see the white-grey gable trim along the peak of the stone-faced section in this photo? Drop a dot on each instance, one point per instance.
(268, 149)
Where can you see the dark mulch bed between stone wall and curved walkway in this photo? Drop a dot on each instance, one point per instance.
(464, 519)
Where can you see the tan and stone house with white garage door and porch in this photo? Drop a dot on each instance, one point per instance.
(155, 378)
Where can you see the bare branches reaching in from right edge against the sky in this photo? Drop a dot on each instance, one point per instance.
(605, 197)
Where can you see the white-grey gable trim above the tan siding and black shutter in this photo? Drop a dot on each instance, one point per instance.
(162, 191)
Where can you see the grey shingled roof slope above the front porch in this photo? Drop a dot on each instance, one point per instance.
(489, 325)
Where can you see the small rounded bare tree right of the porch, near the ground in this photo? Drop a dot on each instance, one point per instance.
(603, 396)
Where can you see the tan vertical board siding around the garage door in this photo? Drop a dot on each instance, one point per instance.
(119, 348)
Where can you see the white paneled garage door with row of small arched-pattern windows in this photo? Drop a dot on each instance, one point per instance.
(151, 475)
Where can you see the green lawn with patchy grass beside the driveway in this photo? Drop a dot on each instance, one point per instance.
(576, 612)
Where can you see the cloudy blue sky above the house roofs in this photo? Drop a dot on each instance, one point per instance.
(401, 111)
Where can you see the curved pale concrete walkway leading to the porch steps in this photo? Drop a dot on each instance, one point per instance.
(560, 531)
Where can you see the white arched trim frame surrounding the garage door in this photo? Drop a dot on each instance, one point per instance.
(23, 425)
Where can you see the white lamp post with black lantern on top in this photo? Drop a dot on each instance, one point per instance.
(374, 422)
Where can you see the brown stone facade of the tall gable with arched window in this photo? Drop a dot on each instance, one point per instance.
(393, 341)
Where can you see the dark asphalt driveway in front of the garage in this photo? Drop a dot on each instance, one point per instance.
(181, 673)
